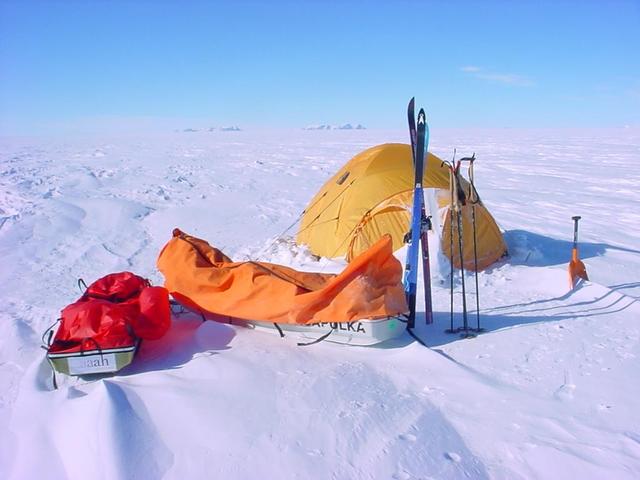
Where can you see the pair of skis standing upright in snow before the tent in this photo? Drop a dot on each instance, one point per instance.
(420, 222)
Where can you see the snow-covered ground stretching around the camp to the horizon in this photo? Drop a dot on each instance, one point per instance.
(549, 391)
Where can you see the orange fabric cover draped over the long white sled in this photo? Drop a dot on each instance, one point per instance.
(202, 277)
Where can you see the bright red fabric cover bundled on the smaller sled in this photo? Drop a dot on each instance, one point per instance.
(114, 312)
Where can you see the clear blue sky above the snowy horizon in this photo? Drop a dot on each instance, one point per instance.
(159, 64)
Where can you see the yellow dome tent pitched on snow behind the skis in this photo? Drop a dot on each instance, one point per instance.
(372, 194)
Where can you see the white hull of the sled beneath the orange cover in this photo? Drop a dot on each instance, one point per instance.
(359, 332)
